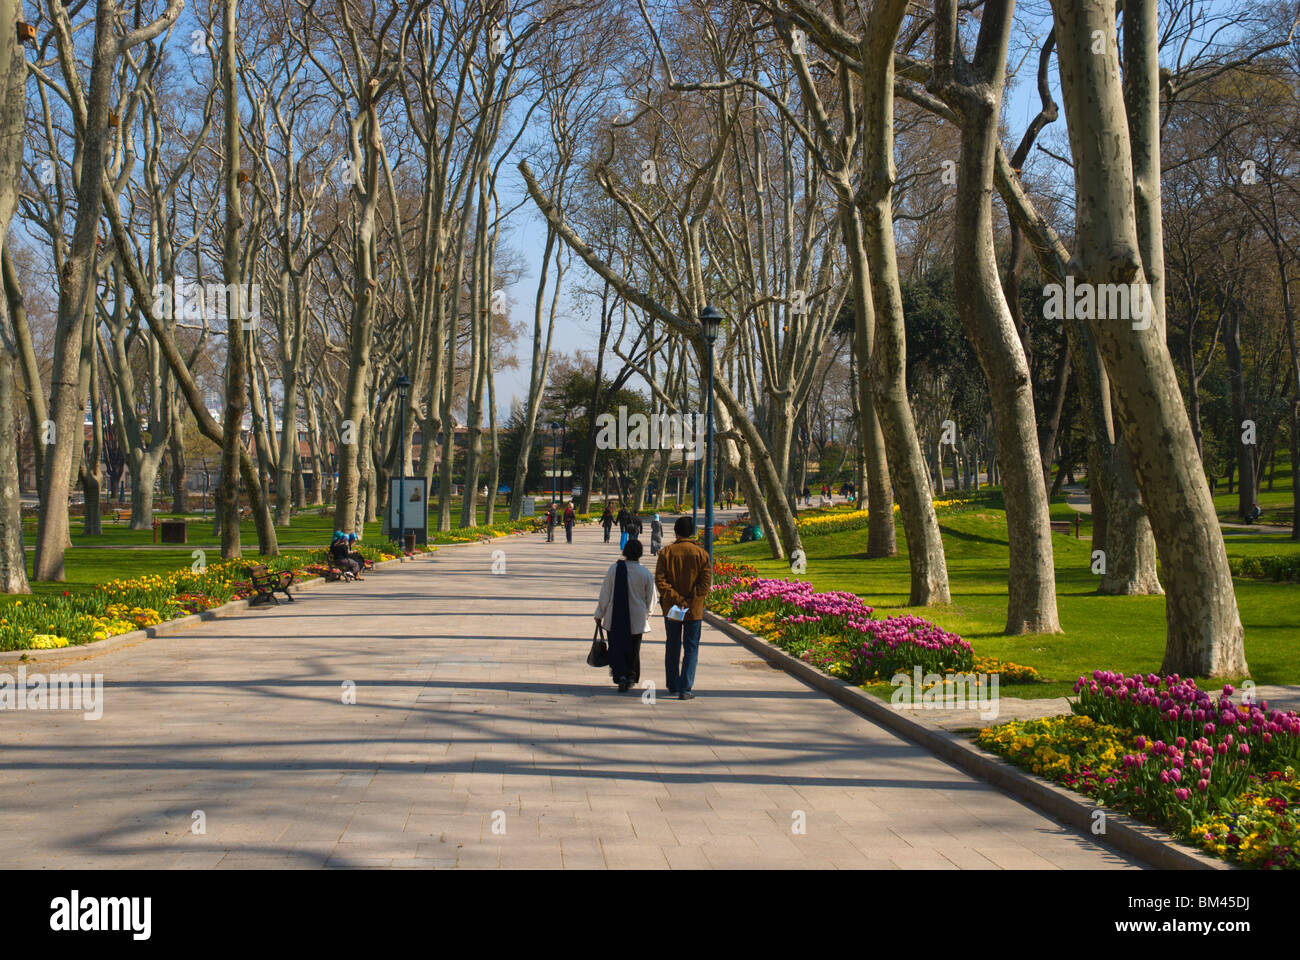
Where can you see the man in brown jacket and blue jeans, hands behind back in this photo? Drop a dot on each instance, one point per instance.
(683, 577)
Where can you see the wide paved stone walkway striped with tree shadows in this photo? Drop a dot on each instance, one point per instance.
(479, 738)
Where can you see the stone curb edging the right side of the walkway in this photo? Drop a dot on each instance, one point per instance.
(1124, 833)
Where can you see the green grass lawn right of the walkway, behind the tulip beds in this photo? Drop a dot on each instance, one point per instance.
(1100, 633)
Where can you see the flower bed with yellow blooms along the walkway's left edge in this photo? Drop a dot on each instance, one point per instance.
(120, 607)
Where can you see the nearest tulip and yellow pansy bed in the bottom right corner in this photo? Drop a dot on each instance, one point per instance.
(1219, 773)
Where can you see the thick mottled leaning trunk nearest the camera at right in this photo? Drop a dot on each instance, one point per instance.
(1206, 635)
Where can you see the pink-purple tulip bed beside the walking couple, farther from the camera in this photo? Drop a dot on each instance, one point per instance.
(835, 632)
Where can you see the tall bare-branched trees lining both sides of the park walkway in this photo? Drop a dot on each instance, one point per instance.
(842, 180)
